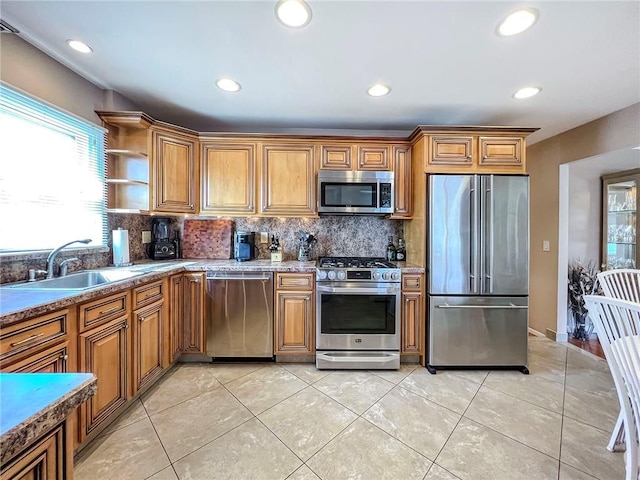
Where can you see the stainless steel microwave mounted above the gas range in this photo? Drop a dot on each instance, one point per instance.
(342, 192)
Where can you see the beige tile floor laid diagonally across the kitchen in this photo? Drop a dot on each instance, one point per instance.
(291, 421)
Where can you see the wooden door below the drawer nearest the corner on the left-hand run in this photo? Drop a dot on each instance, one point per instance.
(148, 339)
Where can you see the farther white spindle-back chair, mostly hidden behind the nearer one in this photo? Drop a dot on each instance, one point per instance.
(624, 284)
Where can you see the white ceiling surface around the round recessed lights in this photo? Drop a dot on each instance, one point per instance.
(443, 60)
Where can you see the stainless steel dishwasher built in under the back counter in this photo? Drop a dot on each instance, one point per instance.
(239, 315)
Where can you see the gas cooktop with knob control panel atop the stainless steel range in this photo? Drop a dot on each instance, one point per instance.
(356, 269)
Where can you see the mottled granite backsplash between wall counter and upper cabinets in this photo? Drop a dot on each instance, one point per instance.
(336, 236)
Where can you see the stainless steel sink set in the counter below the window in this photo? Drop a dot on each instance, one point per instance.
(79, 281)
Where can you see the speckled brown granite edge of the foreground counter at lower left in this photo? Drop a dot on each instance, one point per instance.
(30, 429)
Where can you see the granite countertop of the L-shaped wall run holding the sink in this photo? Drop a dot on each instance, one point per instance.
(17, 305)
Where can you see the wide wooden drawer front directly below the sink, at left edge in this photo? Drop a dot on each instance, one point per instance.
(35, 333)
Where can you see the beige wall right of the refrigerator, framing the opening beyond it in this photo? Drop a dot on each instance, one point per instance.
(615, 131)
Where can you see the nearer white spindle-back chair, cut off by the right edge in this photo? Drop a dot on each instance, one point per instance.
(617, 323)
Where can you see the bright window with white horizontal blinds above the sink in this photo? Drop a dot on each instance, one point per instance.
(52, 176)
